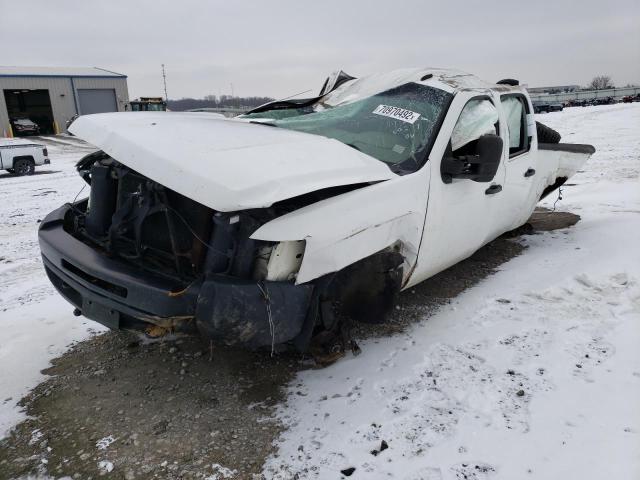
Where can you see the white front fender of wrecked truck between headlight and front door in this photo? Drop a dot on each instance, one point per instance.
(341, 230)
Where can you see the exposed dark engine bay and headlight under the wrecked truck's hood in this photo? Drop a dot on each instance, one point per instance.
(132, 217)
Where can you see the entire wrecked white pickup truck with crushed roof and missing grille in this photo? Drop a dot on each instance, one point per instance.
(270, 229)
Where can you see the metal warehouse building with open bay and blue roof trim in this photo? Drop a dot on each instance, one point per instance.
(50, 96)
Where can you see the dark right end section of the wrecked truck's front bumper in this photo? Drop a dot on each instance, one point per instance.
(251, 314)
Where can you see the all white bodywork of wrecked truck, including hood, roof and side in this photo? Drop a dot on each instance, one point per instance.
(231, 165)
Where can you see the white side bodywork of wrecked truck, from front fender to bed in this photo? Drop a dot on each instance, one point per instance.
(435, 224)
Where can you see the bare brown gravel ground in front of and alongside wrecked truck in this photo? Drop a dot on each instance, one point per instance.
(116, 408)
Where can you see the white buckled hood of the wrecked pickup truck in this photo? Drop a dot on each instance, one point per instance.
(225, 164)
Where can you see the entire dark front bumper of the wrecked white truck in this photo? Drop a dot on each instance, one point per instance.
(120, 295)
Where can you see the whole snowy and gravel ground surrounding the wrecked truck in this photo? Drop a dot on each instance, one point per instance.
(531, 372)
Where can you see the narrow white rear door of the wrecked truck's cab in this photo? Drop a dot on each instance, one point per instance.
(519, 190)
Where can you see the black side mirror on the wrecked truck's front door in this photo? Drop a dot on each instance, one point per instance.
(481, 167)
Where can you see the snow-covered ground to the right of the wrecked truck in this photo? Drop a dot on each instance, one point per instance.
(534, 373)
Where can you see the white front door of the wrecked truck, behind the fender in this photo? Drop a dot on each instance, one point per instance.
(462, 215)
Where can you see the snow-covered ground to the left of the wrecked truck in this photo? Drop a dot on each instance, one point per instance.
(37, 324)
